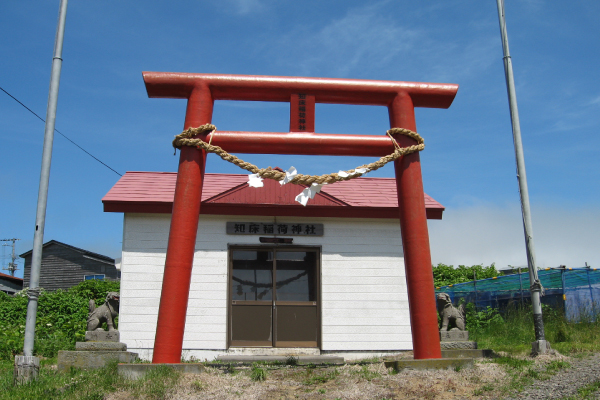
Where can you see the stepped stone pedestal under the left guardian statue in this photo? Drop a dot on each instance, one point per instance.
(100, 348)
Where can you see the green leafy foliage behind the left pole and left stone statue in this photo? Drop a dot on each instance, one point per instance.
(61, 317)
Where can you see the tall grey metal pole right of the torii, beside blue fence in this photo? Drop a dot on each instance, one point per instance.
(540, 346)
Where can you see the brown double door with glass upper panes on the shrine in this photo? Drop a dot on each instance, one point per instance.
(274, 297)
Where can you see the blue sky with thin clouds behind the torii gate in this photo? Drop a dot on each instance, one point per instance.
(468, 164)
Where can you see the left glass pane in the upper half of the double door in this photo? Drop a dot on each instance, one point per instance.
(252, 277)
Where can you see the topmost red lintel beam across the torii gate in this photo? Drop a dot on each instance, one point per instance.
(278, 88)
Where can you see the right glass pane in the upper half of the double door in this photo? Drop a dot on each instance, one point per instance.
(296, 276)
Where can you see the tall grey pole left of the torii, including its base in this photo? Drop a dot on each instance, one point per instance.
(27, 366)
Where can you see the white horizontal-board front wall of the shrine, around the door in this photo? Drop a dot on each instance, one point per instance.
(364, 299)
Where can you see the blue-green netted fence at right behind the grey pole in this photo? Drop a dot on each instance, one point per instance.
(577, 290)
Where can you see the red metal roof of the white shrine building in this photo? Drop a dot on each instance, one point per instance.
(223, 194)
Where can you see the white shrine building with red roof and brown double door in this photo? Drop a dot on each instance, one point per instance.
(270, 274)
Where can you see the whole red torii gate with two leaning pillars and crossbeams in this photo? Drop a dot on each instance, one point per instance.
(202, 90)
